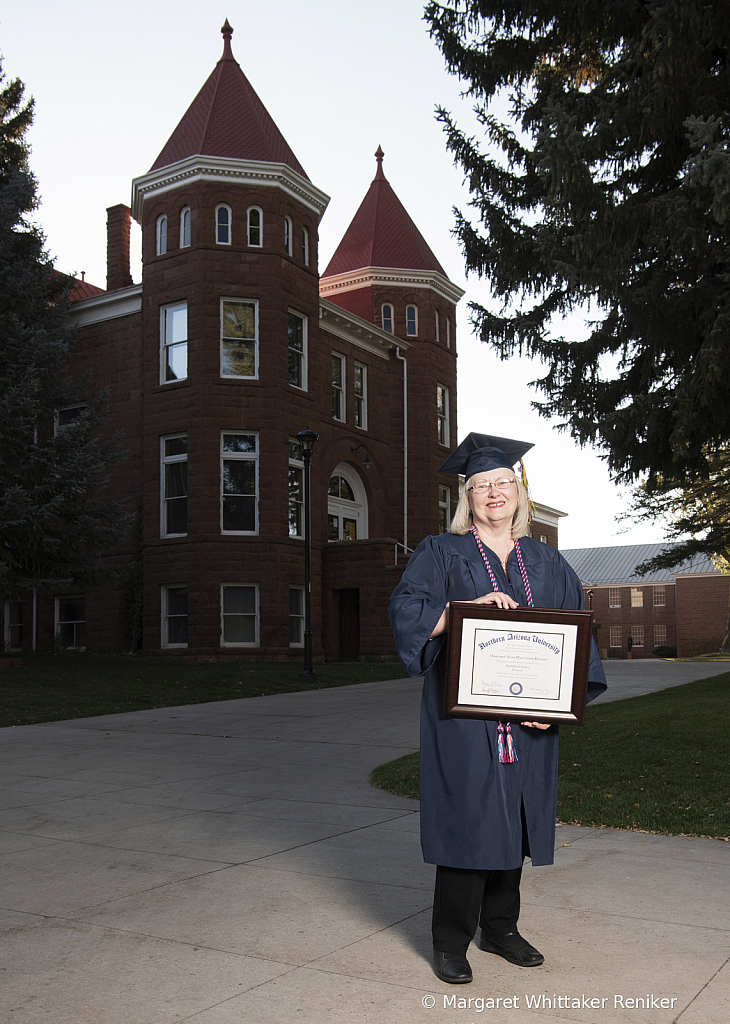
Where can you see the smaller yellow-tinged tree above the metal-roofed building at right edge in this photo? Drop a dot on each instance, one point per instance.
(699, 515)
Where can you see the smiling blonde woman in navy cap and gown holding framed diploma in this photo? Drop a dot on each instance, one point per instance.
(481, 816)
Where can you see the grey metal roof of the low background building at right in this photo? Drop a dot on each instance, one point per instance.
(618, 565)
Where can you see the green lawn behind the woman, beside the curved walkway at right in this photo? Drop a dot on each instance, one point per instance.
(658, 763)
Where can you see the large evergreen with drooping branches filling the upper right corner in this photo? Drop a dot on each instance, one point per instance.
(607, 190)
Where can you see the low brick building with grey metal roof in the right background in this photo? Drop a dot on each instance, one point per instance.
(686, 608)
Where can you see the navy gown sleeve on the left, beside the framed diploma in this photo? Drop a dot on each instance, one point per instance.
(416, 607)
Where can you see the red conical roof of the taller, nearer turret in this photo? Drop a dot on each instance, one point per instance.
(228, 119)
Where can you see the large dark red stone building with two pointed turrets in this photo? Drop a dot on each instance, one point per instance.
(228, 349)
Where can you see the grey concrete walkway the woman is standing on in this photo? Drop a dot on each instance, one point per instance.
(229, 863)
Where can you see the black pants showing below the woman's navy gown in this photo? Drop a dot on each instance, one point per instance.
(464, 899)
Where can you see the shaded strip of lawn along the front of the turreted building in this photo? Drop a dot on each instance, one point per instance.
(55, 688)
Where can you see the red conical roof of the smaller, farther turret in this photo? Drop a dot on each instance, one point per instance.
(382, 235)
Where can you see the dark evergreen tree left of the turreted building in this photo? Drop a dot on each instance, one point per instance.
(55, 527)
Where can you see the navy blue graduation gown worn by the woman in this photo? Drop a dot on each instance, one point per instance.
(470, 803)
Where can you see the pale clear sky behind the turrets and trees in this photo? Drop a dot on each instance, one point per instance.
(112, 80)
